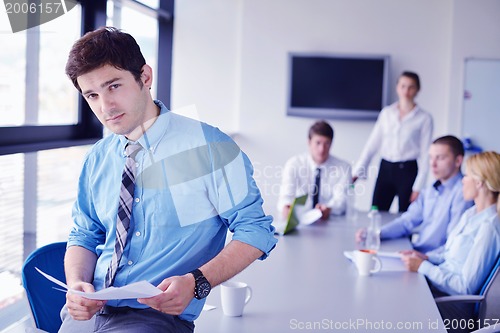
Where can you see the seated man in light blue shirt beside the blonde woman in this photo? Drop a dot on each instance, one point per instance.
(439, 207)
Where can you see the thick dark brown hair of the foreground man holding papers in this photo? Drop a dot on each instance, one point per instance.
(104, 46)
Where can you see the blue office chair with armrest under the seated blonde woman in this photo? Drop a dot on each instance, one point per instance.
(487, 302)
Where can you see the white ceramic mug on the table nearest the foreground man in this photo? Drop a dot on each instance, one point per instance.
(234, 297)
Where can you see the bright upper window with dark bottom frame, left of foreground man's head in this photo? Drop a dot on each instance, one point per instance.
(41, 106)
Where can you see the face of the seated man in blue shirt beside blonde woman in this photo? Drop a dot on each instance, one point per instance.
(443, 164)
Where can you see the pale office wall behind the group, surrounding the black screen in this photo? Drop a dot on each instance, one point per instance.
(230, 60)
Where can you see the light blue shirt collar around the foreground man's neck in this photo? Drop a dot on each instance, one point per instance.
(153, 135)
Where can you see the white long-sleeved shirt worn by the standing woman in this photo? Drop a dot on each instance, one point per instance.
(399, 140)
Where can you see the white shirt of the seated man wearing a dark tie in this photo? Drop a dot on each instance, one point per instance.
(299, 179)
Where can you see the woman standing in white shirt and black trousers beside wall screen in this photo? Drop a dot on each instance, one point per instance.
(402, 136)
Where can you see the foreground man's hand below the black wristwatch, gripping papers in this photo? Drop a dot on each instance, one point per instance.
(178, 291)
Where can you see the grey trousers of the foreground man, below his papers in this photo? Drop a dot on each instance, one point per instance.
(126, 321)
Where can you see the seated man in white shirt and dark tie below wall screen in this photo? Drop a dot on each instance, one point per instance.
(323, 177)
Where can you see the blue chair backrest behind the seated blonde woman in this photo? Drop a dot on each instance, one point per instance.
(490, 307)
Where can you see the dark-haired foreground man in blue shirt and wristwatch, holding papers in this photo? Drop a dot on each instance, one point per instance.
(192, 184)
